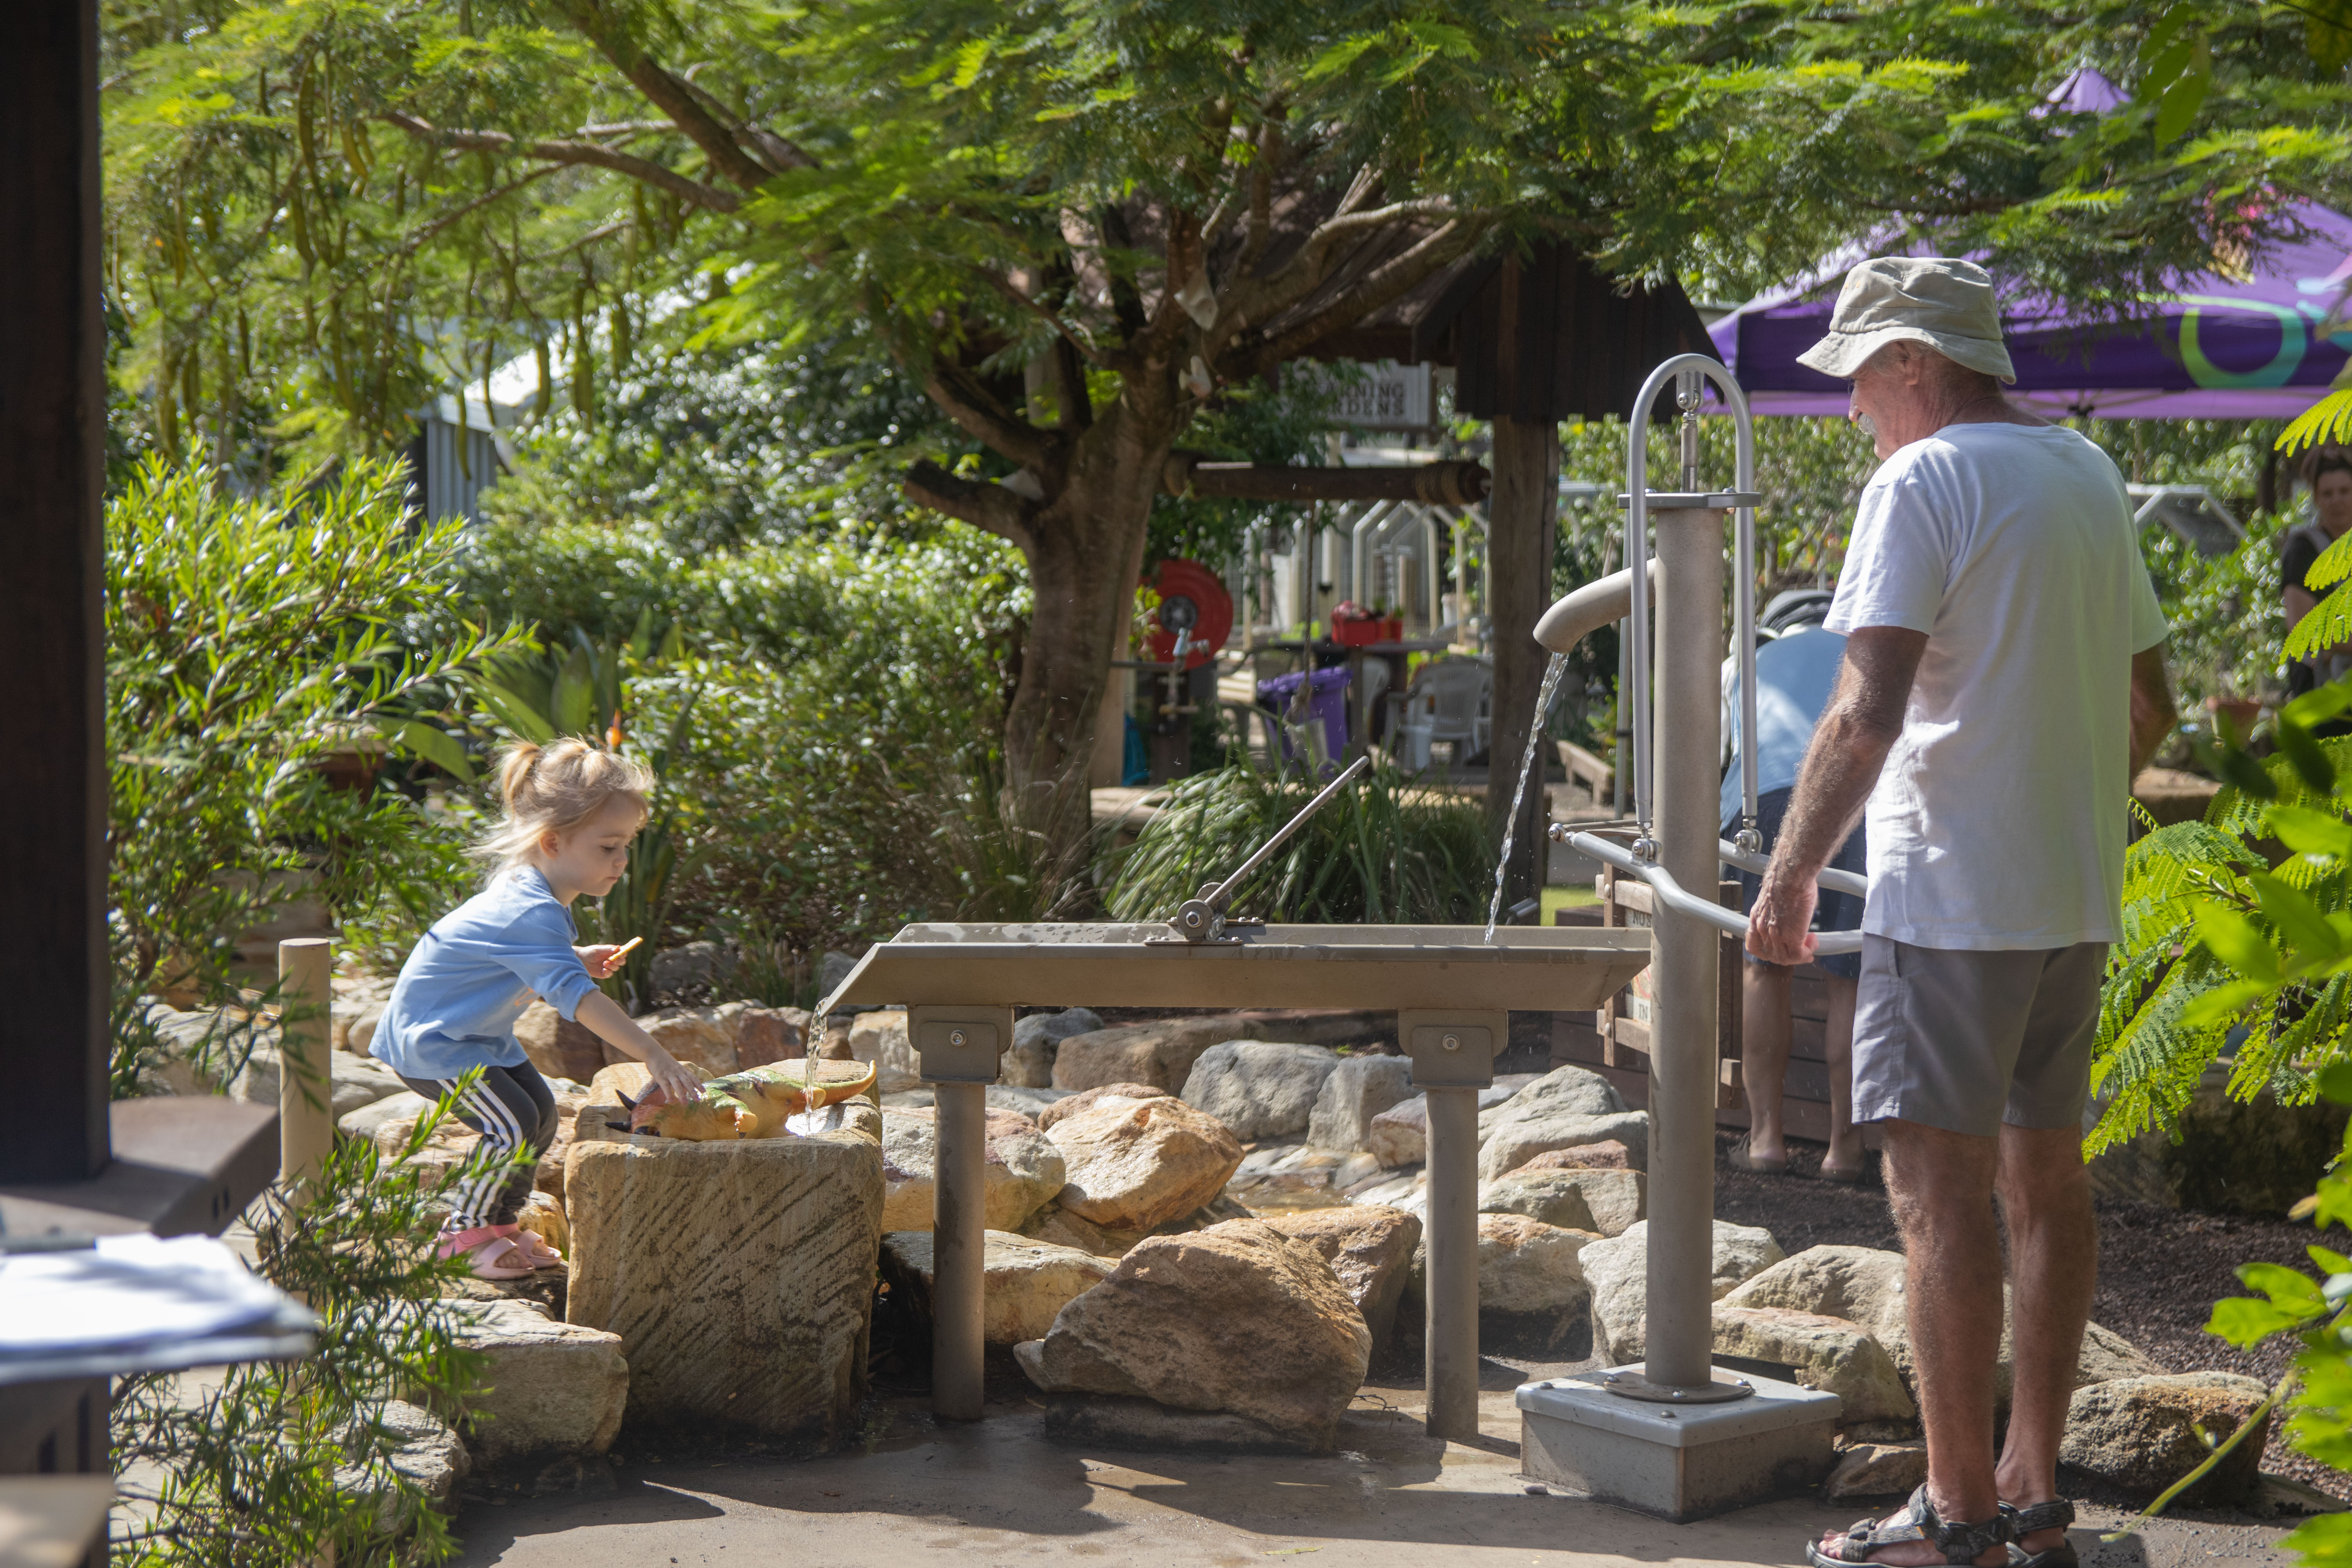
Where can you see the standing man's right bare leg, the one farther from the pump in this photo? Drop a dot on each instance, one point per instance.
(2054, 1266)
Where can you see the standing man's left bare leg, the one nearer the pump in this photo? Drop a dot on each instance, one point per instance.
(1942, 1188)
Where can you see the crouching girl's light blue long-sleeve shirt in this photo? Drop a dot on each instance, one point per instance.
(469, 979)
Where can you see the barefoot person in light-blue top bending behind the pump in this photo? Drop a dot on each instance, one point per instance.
(1796, 671)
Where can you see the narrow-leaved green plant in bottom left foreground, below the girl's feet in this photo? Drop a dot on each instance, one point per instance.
(293, 1461)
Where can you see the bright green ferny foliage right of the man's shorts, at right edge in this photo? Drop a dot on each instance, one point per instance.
(2221, 939)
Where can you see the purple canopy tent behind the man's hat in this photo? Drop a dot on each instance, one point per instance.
(2261, 347)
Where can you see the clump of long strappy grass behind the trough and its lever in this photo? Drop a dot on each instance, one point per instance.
(1377, 852)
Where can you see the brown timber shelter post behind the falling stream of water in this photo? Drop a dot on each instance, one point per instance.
(1523, 511)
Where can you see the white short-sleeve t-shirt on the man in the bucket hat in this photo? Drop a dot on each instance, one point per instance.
(2000, 815)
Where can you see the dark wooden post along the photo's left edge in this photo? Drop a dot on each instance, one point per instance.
(53, 462)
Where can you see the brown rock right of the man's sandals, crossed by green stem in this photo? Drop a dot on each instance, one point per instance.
(2146, 1433)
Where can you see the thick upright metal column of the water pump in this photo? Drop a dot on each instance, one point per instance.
(1683, 972)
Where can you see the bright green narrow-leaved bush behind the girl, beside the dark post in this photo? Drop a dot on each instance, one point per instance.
(248, 643)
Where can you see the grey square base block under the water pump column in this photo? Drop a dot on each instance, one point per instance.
(1676, 1461)
